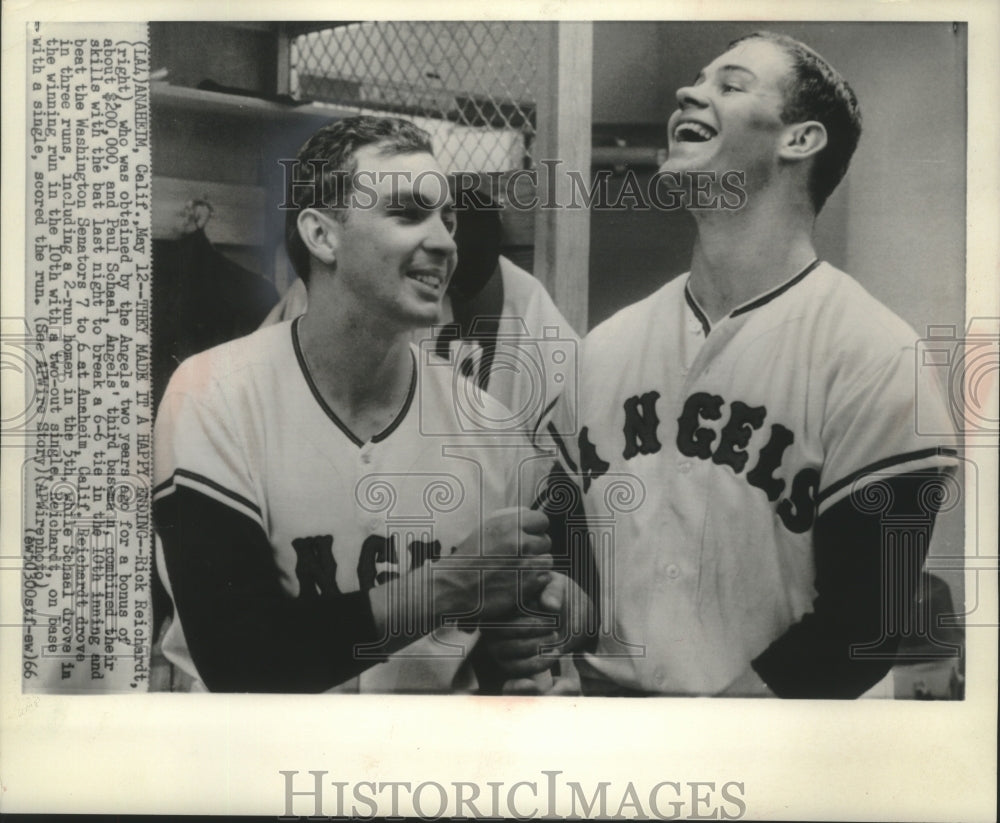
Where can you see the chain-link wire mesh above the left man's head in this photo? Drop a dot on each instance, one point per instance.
(471, 84)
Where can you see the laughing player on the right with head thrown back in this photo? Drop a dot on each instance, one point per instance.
(763, 404)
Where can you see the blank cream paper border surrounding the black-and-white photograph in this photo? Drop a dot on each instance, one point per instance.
(168, 753)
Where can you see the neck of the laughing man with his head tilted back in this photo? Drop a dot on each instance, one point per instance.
(740, 255)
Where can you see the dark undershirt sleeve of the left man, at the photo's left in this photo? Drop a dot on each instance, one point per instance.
(244, 632)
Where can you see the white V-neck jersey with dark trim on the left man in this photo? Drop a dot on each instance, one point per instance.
(244, 440)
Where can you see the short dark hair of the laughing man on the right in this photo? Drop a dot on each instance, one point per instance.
(818, 92)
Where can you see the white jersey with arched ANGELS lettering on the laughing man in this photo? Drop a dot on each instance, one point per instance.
(706, 453)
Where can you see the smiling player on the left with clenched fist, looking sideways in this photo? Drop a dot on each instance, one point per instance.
(313, 536)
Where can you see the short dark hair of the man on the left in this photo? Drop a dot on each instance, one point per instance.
(321, 177)
